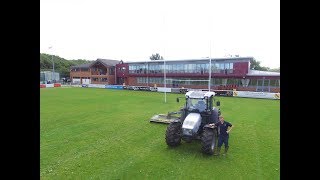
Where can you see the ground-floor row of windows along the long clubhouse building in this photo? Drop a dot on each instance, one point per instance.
(214, 81)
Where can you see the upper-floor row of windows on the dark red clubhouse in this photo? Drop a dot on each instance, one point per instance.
(180, 68)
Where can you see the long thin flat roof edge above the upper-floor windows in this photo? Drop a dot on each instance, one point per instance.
(197, 59)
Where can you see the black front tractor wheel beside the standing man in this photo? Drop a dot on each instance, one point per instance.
(209, 140)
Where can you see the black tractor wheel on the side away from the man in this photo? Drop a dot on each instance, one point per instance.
(173, 134)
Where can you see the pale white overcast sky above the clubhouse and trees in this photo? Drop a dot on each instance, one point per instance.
(176, 29)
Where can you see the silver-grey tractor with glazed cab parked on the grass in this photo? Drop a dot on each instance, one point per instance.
(194, 122)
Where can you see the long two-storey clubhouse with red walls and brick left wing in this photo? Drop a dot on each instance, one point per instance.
(226, 73)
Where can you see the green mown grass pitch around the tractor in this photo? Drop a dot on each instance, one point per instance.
(90, 133)
